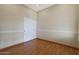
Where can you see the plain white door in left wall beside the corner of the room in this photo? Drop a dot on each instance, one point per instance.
(29, 28)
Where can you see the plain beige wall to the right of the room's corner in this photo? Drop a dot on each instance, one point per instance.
(58, 23)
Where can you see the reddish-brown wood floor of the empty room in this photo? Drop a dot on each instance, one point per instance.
(39, 47)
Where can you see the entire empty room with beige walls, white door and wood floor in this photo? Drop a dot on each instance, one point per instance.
(39, 29)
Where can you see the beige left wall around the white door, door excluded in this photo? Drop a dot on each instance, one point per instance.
(12, 24)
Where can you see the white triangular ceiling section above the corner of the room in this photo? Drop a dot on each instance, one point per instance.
(38, 7)
